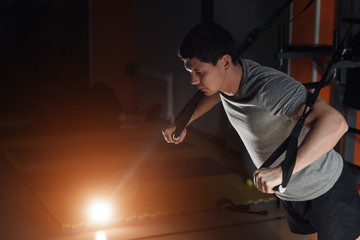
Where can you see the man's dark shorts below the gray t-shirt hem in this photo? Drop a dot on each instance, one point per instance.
(334, 216)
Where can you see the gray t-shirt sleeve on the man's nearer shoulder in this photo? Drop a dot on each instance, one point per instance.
(282, 95)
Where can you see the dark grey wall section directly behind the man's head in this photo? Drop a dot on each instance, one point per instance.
(160, 25)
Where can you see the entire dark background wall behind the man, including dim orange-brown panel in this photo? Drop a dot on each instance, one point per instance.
(52, 51)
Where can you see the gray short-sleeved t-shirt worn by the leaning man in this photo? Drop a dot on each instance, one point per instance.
(261, 111)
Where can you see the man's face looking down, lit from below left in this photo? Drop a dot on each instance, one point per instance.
(207, 77)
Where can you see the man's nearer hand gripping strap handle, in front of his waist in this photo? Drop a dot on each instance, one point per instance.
(265, 179)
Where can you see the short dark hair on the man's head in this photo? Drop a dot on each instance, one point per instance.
(208, 42)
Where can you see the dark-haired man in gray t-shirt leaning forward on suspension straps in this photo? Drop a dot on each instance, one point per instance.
(263, 105)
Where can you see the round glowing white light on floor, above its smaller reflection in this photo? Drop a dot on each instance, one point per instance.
(100, 212)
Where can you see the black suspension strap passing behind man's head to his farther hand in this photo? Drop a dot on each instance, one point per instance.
(185, 114)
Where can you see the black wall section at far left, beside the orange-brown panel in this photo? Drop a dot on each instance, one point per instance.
(44, 55)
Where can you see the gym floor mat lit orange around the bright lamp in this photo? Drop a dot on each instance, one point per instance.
(134, 169)
